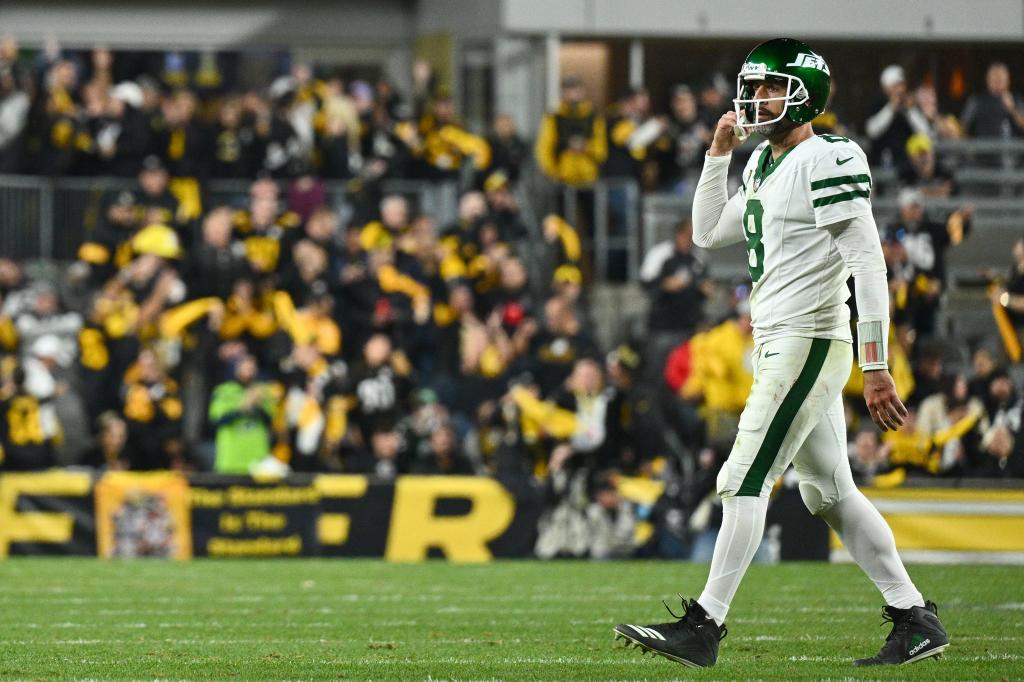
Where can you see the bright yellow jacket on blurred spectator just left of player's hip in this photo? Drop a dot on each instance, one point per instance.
(721, 372)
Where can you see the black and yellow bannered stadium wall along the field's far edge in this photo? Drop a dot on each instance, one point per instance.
(463, 520)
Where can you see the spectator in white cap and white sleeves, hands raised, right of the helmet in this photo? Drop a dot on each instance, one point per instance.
(894, 120)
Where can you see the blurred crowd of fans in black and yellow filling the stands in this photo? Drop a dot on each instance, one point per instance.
(279, 334)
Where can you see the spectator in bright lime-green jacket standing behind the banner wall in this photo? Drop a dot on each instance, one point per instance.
(241, 412)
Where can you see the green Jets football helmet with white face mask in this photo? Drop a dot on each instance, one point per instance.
(806, 74)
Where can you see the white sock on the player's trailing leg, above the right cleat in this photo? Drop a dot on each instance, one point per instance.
(870, 541)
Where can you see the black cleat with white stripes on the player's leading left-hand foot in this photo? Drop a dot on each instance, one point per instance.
(692, 641)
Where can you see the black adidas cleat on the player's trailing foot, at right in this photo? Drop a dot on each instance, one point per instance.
(917, 634)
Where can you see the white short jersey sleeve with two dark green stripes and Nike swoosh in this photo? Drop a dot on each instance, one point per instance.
(841, 186)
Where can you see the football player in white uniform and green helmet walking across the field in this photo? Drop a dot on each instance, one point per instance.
(804, 216)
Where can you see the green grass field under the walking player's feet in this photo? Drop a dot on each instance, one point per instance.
(509, 621)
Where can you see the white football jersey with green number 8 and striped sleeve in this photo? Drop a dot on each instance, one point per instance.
(799, 279)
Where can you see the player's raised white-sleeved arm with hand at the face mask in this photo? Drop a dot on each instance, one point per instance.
(717, 220)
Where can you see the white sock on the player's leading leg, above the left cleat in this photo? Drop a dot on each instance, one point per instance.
(743, 528)
